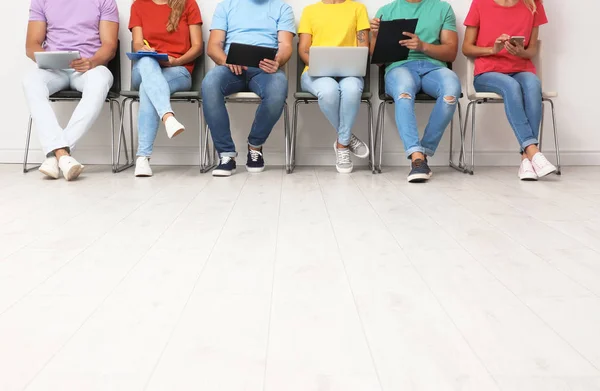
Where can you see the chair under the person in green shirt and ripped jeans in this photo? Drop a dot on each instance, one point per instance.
(421, 97)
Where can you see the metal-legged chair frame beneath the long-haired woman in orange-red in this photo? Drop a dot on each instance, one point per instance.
(207, 161)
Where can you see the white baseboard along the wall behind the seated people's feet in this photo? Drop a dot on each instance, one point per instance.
(304, 156)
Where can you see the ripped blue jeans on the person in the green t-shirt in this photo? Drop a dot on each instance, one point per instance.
(403, 83)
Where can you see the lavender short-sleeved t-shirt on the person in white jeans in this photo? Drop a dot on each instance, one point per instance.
(73, 24)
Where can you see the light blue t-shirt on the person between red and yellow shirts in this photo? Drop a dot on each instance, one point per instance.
(253, 22)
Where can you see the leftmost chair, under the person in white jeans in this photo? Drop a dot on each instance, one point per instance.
(114, 66)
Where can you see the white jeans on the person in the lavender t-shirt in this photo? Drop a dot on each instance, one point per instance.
(40, 84)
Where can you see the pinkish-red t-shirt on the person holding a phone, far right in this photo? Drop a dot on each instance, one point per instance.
(493, 20)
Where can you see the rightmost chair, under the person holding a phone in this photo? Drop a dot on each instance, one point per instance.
(477, 98)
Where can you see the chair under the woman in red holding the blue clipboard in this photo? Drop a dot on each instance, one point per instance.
(193, 96)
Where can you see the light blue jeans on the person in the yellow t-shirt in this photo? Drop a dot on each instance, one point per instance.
(339, 100)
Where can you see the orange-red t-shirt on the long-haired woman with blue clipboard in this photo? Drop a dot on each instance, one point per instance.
(153, 19)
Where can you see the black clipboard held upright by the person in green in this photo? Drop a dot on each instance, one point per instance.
(387, 49)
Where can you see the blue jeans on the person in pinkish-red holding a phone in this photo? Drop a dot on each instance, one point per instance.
(522, 94)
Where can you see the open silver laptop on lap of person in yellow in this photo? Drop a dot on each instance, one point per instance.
(338, 61)
